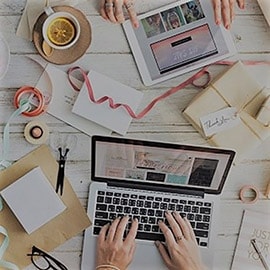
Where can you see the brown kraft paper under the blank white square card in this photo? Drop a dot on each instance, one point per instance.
(68, 224)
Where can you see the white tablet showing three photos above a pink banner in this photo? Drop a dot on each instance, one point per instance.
(177, 38)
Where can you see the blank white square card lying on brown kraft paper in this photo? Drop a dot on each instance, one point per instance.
(33, 200)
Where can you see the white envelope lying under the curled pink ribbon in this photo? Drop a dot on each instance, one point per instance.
(118, 119)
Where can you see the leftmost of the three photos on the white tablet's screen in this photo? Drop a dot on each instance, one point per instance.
(153, 25)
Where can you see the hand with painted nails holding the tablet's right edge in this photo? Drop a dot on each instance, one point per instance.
(224, 11)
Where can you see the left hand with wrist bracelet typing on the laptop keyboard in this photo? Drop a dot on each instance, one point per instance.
(112, 249)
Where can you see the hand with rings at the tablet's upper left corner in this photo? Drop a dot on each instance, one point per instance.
(112, 10)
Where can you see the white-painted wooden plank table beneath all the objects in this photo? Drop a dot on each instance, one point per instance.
(109, 54)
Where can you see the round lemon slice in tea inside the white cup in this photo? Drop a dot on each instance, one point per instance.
(61, 31)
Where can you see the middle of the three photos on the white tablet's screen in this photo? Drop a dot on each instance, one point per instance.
(173, 18)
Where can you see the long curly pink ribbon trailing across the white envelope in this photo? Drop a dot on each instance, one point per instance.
(192, 80)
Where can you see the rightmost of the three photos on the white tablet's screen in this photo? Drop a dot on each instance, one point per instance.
(192, 11)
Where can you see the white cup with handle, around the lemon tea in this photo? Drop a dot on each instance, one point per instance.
(52, 15)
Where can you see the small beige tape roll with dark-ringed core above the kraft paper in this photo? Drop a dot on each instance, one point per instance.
(36, 132)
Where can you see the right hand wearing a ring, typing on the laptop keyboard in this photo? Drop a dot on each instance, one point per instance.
(180, 251)
